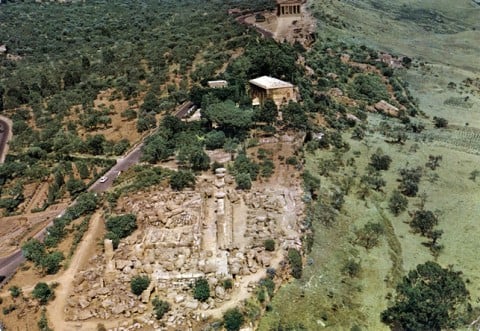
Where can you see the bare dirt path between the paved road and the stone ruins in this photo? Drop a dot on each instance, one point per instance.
(55, 309)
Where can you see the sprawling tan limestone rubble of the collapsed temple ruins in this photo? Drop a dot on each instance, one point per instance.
(214, 232)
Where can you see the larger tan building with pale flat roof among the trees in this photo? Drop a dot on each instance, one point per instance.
(266, 87)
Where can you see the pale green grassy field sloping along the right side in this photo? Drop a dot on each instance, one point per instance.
(441, 38)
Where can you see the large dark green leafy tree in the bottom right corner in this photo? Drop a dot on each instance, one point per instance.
(428, 298)
